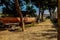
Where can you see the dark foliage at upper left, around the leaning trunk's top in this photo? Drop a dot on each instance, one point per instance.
(10, 7)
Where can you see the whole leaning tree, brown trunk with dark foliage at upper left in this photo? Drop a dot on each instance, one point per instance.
(15, 8)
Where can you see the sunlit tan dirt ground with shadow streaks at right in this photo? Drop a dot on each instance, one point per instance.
(38, 32)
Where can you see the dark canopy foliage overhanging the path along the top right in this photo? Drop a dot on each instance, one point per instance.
(45, 3)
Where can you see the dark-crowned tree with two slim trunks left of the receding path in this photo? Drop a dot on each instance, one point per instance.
(41, 5)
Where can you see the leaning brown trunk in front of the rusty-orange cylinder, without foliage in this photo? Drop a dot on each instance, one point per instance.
(20, 14)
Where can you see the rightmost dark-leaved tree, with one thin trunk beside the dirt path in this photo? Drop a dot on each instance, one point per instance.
(52, 4)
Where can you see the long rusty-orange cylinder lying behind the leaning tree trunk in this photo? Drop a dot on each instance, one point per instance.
(14, 20)
